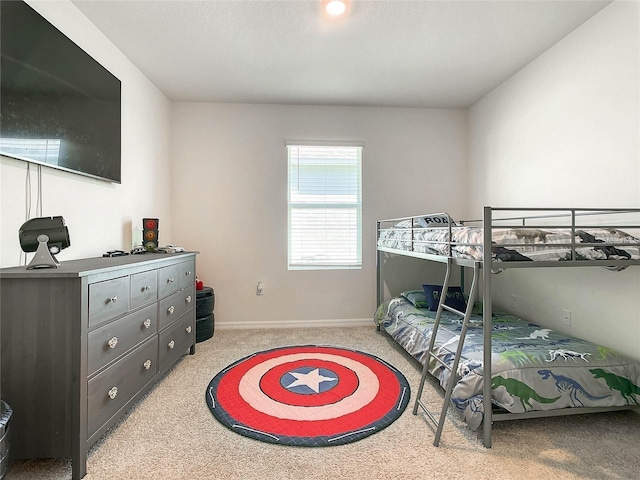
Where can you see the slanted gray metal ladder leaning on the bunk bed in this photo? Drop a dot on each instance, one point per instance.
(453, 369)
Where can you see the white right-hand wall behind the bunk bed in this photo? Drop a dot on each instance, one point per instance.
(564, 132)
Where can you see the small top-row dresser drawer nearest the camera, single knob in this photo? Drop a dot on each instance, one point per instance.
(108, 299)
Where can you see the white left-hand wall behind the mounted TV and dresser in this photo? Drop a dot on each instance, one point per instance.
(99, 215)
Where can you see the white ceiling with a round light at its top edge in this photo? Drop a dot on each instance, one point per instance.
(438, 54)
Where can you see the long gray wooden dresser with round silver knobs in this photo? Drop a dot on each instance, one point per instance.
(83, 342)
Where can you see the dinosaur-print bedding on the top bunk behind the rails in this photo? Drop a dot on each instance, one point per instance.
(513, 244)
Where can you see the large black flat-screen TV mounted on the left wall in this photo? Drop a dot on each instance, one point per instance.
(59, 107)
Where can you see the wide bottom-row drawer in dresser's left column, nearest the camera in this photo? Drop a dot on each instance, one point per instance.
(109, 391)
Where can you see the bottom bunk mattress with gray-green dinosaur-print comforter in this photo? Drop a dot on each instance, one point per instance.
(533, 368)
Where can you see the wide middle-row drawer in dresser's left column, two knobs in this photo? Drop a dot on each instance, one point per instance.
(108, 342)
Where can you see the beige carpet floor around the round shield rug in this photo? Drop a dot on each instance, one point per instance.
(171, 434)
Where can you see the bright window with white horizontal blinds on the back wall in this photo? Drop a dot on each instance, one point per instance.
(325, 206)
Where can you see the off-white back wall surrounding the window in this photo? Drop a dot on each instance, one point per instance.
(230, 199)
